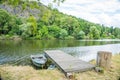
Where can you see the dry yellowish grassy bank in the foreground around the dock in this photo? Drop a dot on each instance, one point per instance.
(29, 73)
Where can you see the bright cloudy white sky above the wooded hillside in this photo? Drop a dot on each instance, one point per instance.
(105, 12)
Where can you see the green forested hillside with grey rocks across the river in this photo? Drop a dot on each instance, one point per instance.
(33, 20)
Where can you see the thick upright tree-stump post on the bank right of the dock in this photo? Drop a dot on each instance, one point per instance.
(104, 59)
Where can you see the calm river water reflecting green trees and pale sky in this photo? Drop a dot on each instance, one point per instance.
(18, 52)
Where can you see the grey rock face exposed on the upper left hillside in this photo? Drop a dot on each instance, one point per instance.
(18, 11)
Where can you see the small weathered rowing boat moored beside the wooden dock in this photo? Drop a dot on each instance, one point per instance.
(38, 60)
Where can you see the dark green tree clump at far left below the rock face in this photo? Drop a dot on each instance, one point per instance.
(9, 24)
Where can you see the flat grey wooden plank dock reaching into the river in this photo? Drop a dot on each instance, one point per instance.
(68, 63)
